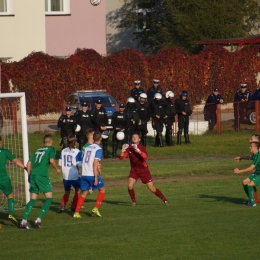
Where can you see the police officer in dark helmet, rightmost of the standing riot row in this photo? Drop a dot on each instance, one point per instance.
(183, 109)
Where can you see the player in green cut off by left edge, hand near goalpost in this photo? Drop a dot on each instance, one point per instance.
(5, 181)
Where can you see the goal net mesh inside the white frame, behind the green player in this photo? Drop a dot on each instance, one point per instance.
(10, 130)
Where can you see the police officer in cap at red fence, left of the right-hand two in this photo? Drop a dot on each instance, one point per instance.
(210, 107)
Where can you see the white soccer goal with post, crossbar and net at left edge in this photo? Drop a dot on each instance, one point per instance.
(13, 130)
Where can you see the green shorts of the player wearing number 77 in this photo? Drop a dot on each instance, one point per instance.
(40, 184)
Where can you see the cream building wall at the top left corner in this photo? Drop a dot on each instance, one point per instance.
(25, 31)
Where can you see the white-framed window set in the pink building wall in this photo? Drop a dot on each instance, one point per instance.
(57, 7)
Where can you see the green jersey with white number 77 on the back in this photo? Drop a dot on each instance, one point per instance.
(41, 160)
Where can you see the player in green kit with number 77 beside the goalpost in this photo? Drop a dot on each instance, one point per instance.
(38, 166)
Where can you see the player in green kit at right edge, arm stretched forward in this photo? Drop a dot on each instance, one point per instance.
(253, 179)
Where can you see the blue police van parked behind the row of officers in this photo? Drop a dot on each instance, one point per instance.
(75, 99)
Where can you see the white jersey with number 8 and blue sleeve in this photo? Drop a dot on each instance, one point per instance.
(91, 153)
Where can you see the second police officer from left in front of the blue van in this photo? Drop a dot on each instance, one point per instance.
(83, 118)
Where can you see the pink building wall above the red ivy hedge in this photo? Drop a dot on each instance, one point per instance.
(84, 28)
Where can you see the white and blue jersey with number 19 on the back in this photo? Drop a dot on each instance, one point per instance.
(69, 159)
